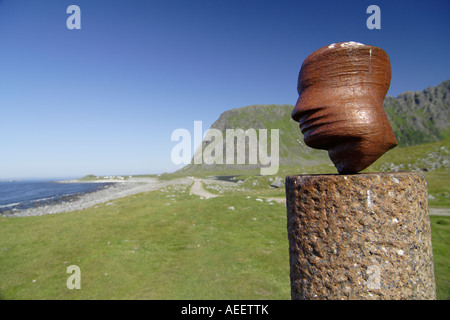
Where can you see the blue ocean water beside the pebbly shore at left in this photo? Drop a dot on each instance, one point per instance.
(18, 195)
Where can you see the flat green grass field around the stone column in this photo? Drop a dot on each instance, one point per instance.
(164, 244)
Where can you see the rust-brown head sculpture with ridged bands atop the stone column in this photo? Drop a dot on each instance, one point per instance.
(340, 106)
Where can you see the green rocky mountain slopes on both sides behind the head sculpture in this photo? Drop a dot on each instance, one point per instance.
(416, 118)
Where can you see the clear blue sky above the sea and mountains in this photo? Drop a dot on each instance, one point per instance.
(105, 99)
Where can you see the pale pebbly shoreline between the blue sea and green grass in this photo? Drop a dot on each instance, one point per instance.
(87, 200)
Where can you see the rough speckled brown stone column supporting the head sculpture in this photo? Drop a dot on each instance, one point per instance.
(362, 236)
